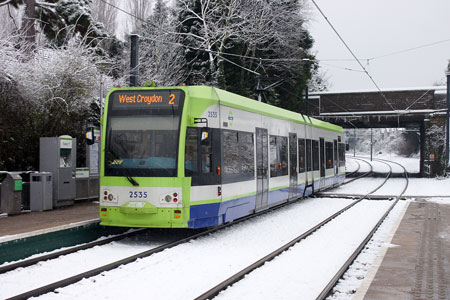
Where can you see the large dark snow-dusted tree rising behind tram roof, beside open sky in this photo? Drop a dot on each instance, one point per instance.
(228, 41)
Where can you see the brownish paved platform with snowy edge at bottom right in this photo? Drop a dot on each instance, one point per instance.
(416, 262)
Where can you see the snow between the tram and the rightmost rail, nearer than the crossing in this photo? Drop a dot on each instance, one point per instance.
(188, 270)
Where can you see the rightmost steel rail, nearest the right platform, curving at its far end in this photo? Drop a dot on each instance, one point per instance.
(332, 283)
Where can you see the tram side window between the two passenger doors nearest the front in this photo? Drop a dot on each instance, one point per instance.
(278, 156)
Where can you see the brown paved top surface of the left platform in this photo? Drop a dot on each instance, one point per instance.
(35, 221)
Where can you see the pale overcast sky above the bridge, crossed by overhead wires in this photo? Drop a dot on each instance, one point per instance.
(374, 28)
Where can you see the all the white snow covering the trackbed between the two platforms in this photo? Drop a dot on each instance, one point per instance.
(188, 270)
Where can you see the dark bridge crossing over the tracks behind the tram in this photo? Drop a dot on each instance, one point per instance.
(415, 108)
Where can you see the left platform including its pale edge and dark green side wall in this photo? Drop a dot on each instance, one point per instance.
(37, 232)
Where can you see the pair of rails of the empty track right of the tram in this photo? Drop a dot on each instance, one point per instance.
(227, 283)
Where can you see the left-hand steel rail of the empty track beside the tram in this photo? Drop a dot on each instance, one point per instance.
(211, 293)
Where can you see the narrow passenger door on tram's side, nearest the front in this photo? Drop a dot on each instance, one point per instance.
(262, 169)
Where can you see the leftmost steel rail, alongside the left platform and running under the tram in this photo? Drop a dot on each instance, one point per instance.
(31, 261)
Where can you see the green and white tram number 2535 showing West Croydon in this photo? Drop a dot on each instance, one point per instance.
(196, 156)
